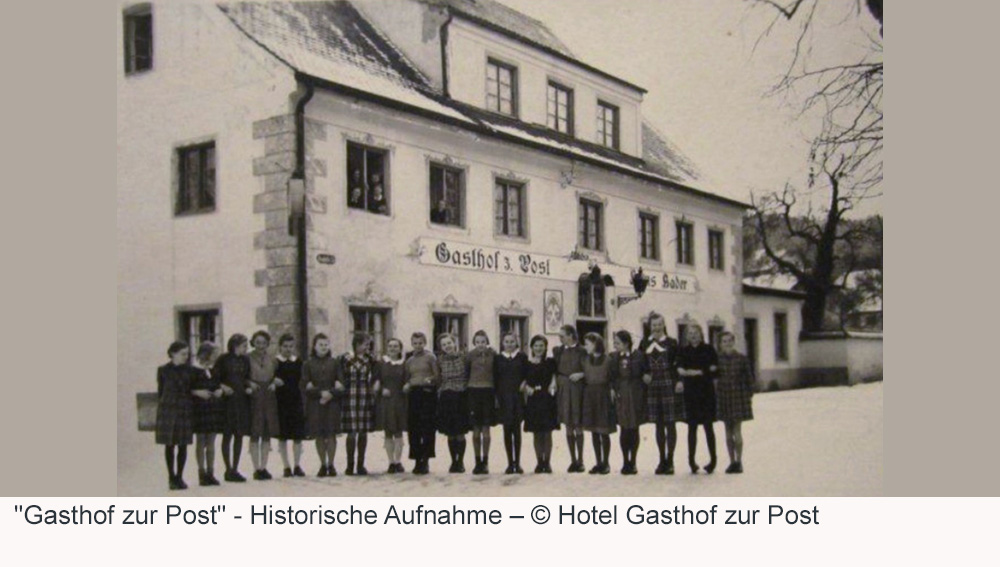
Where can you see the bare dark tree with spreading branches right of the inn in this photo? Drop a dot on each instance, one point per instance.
(845, 160)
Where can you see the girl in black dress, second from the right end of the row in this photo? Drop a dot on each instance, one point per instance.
(696, 365)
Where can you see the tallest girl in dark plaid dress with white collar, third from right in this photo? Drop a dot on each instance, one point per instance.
(663, 391)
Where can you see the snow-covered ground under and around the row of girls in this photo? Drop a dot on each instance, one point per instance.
(815, 442)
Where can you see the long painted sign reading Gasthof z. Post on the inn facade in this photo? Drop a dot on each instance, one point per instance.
(459, 255)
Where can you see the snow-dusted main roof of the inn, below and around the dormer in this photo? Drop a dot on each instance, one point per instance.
(333, 45)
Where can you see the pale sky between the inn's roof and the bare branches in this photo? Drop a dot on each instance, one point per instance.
(706, 82)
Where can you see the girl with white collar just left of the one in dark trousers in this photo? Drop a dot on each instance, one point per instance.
(390, 411)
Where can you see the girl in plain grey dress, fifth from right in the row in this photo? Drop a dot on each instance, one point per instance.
(598, 412)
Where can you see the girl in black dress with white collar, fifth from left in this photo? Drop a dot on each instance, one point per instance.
(291, 413)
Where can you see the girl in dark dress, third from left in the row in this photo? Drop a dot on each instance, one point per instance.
(233, 369)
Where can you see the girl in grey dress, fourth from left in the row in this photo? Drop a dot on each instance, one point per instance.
(263, 403)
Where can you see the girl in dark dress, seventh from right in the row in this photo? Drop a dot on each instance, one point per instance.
(540, 412)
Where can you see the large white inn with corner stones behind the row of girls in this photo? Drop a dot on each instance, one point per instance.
(508, 171)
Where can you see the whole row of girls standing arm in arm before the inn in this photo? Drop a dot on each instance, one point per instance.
(581, 387)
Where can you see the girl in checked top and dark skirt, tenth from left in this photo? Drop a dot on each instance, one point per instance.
(453, 400)
